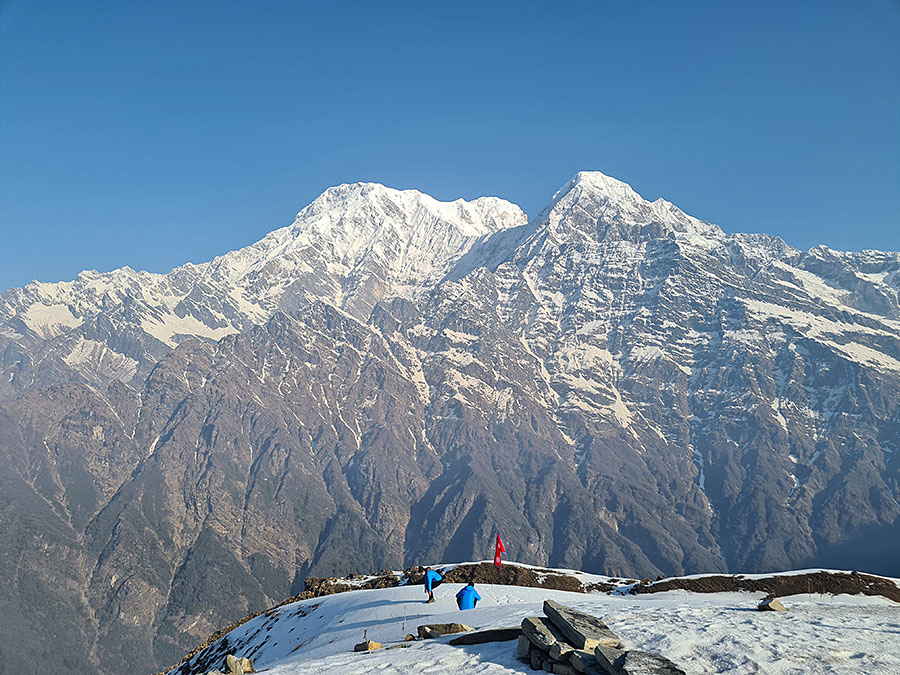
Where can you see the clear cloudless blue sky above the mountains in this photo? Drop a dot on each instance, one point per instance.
(154, 133)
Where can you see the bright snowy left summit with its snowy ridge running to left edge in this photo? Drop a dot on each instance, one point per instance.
(352, 246)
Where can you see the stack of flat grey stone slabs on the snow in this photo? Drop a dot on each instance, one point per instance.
(568, 642)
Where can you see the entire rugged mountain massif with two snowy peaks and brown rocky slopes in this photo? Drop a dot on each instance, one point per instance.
(616, 386)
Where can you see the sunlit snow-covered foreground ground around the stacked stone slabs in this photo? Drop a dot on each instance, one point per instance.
(702, 633)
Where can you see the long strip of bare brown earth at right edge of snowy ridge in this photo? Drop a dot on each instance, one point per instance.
(833, 583)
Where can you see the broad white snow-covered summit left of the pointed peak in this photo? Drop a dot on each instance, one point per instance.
(357, 243)
